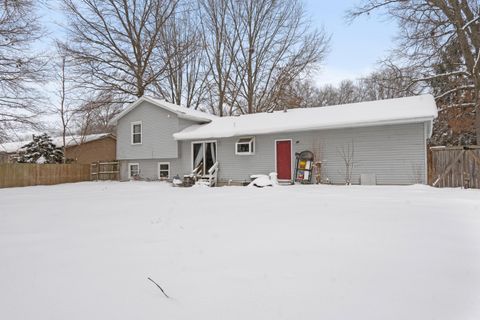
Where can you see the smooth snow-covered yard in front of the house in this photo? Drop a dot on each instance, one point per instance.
(84, 251)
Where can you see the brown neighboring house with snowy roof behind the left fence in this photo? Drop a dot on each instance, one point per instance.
(79, 149)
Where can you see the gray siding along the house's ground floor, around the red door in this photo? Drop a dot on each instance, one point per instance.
(394, 153)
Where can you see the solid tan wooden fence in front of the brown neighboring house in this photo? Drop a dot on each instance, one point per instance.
(27, 174)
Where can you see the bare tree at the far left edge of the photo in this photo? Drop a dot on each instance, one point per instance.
(20, 68)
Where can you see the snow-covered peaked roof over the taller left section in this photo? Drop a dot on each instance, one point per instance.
(181, 112)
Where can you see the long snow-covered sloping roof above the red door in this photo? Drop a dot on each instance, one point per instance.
(401, 110)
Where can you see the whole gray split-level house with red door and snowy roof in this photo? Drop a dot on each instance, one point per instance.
(386, 140)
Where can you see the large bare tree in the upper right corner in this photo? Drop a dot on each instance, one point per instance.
(428, 31)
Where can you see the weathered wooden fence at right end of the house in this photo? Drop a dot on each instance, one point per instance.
(455, 166)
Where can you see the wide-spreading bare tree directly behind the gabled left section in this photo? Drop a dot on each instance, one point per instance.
(115, 43)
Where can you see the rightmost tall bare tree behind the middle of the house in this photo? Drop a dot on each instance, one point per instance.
(276, 45)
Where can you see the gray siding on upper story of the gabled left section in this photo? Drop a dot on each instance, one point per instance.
(158, 127)
